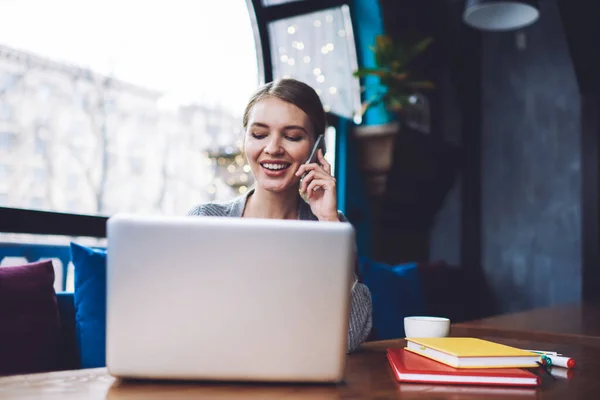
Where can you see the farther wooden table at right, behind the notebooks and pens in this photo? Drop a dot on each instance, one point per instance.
(575, 323)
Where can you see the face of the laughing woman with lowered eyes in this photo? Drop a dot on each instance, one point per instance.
(278, 139)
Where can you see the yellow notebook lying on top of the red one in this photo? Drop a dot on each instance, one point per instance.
(472, 353)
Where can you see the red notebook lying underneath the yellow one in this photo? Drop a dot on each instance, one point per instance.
(411, 367)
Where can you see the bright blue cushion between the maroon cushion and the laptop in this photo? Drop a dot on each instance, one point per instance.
(90, 304)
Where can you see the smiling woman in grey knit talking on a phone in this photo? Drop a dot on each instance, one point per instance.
(282, 121)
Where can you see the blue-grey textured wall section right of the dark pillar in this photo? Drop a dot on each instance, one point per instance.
(531, 166)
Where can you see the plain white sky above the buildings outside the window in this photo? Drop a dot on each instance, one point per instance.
(195, 50)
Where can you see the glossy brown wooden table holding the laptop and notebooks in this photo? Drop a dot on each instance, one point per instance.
(368, 376)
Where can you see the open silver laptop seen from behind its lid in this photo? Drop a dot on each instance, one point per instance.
(228, 299)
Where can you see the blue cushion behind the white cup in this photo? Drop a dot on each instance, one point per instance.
(396, 293)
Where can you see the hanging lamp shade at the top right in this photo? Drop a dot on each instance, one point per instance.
(500, 15)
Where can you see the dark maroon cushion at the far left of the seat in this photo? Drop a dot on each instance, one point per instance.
(29, 319)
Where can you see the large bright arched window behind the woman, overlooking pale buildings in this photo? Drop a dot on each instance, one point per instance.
(114, 105)
